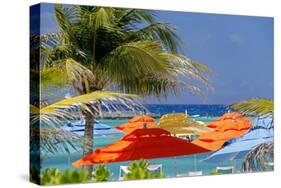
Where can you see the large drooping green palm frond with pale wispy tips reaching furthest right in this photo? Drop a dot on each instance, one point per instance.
(143, 68)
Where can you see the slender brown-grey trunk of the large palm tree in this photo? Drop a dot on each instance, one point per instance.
(88, 138)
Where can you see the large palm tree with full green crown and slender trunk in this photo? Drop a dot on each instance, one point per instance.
(100, 48)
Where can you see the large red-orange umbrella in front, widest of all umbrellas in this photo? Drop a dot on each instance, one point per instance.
(141, 144)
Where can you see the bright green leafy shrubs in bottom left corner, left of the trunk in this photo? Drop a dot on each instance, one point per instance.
(52, 176)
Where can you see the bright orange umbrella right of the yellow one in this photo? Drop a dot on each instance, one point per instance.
(225, 128)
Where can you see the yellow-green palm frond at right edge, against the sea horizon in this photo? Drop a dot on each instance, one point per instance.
(255, 107)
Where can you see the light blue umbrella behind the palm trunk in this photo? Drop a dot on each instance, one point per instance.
(100, 129)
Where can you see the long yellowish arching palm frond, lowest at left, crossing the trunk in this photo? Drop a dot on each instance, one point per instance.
(57, 113)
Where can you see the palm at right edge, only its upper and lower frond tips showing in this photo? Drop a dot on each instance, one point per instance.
(258, 158)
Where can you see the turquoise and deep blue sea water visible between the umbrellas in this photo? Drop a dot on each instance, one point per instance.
(172, 166)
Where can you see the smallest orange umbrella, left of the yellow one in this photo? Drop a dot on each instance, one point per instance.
(136, 122)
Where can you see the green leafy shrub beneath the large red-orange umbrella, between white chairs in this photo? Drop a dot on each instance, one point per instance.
(138, 170)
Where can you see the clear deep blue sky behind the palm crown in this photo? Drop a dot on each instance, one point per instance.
(238, 50)
